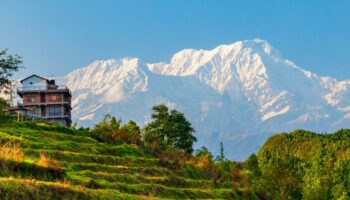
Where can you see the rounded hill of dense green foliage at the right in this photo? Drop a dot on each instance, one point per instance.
(303, 165)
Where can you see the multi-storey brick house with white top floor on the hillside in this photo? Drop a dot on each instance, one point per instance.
(46, 100)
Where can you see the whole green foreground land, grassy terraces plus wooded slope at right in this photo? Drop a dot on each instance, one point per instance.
(42, 161)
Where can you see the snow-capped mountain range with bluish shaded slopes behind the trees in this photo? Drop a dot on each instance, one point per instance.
(238, 94)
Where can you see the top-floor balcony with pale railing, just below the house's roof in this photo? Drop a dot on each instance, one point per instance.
(43, 89)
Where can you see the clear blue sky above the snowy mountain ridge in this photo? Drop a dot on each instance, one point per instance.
(55, 37)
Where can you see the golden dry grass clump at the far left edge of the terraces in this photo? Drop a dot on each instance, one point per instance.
(11, 150)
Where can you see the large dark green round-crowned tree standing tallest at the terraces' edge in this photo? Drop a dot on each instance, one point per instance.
(169, 129)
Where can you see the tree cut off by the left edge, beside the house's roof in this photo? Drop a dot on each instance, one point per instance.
(8, 65)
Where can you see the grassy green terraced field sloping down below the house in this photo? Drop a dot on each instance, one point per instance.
(88, 169)
